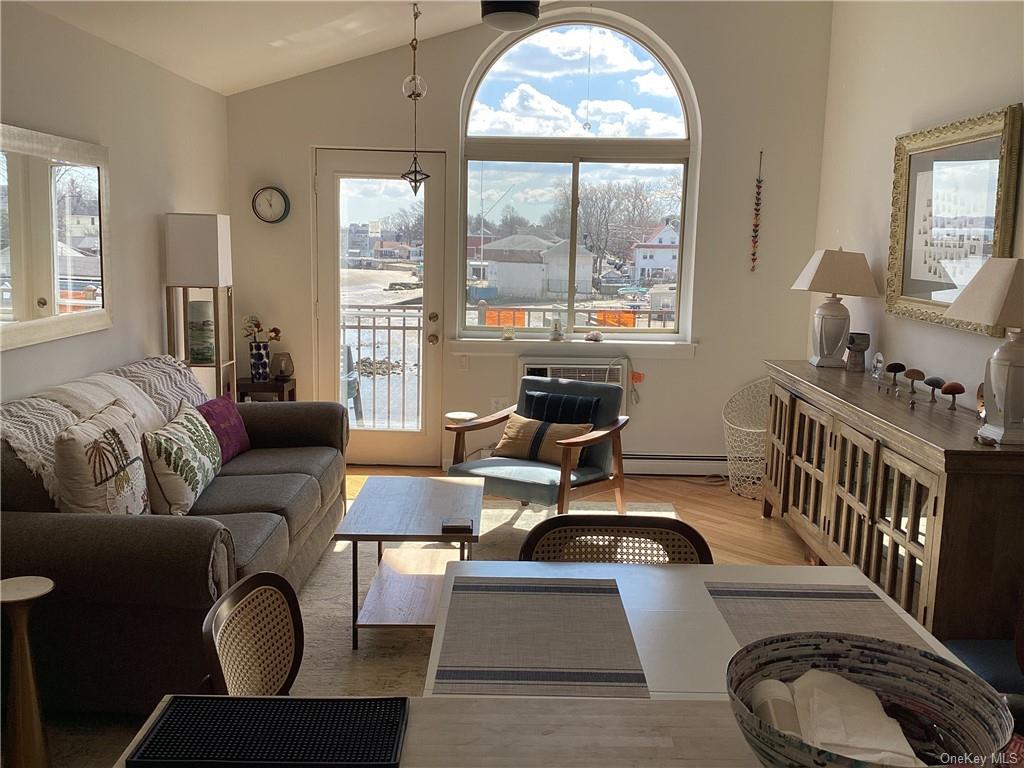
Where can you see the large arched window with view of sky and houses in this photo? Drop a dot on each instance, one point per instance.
(576, 178)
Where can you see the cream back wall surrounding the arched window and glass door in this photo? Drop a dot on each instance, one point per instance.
(759, 71)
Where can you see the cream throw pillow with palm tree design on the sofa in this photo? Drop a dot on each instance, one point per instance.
(99, 464)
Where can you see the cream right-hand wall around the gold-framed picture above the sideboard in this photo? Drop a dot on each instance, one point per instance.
(898, 68)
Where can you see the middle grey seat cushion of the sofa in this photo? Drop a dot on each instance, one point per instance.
(294, 497)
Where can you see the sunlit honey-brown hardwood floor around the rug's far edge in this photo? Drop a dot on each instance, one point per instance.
(734, 527)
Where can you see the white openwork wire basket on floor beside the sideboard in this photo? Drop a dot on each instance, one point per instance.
(745, 417)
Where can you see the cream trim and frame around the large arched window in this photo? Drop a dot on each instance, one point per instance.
(586, 150)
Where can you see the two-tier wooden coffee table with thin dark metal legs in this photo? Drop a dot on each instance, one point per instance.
(406, 590)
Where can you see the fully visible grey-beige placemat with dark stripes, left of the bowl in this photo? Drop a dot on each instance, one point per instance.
(539, 637)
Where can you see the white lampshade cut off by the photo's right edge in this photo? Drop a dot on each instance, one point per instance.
(995, 296)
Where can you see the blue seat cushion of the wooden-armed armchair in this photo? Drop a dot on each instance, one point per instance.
(518, 479)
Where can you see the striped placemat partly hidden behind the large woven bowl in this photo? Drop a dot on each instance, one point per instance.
(758, 611)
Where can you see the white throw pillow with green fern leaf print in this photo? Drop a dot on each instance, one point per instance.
(182, 459)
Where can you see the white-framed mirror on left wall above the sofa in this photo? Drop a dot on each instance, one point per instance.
(55, 239)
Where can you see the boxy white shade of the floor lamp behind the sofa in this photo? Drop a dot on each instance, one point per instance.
(199, 250)
